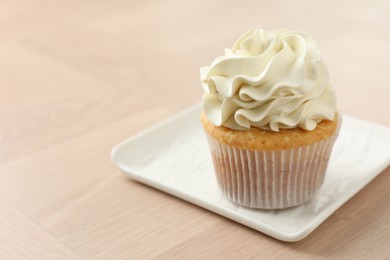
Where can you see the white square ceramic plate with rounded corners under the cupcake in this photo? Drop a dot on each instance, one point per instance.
(174, 157)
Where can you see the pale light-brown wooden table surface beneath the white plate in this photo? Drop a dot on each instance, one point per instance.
(77, 77)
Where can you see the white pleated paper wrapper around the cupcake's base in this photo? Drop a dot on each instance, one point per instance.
(271, 179)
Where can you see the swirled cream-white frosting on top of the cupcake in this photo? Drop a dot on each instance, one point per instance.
(270, 80)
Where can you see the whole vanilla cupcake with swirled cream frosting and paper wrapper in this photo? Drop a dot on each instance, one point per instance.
(270, 117)
